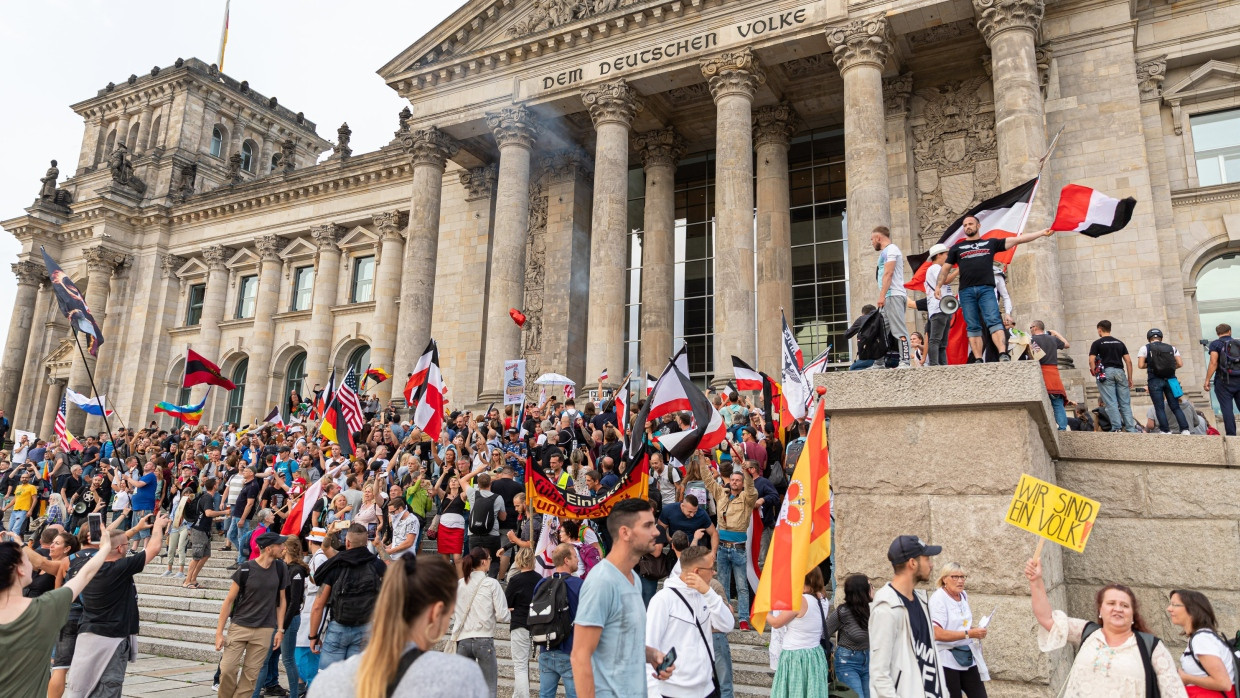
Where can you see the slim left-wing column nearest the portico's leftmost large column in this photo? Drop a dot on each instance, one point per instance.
(387, 289)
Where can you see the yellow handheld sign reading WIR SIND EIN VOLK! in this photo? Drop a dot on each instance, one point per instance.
(1052, 513)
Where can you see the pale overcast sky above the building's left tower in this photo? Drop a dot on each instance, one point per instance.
(317, 56)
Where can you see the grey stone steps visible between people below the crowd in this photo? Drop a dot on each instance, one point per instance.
(182, 624)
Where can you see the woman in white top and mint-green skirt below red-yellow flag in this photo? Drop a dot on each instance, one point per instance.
(802, 666)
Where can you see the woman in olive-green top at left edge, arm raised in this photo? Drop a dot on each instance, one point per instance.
(32, 627)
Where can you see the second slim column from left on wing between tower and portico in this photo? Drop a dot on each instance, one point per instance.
(261, 342)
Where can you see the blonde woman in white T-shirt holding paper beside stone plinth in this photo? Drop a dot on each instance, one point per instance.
(958, 637)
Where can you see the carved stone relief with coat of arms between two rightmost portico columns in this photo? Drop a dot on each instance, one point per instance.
(955, 153)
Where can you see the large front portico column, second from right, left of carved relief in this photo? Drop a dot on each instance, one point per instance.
(861, 49)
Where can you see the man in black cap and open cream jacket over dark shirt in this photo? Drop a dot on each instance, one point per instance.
(901, 642)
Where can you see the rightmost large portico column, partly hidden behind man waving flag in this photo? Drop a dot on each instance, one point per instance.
(1011, 30)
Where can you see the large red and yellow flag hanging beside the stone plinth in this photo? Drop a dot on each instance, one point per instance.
(803, 534)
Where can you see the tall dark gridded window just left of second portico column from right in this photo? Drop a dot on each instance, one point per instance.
(820, 273)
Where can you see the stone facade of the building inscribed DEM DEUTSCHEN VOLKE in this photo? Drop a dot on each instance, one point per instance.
(509, 180)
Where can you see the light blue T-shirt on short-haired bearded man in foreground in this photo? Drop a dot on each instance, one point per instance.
(613, 603)
